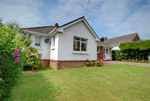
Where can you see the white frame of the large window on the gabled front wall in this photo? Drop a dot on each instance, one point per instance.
(80, 42)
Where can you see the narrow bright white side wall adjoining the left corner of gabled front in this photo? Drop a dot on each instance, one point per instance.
(54, 50)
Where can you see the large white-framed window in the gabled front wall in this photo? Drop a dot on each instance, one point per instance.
(79, 44)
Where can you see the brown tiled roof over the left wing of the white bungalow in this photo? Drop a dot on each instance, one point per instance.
(42, 29)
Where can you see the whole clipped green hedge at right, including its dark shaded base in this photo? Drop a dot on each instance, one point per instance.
(137, 51)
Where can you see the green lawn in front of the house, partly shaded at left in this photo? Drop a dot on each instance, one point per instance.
(107, 83)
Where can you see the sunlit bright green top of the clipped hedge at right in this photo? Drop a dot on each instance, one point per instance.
(141, 45)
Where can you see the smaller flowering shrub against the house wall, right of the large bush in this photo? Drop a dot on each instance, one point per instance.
(33, 60)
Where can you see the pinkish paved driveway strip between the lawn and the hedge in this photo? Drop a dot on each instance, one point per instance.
(121, 62)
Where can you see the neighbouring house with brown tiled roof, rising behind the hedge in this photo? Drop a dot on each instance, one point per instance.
(116, 40)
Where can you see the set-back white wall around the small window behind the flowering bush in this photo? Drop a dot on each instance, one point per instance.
(44, 49)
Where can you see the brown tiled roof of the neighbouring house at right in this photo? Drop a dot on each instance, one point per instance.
(124, 38)
